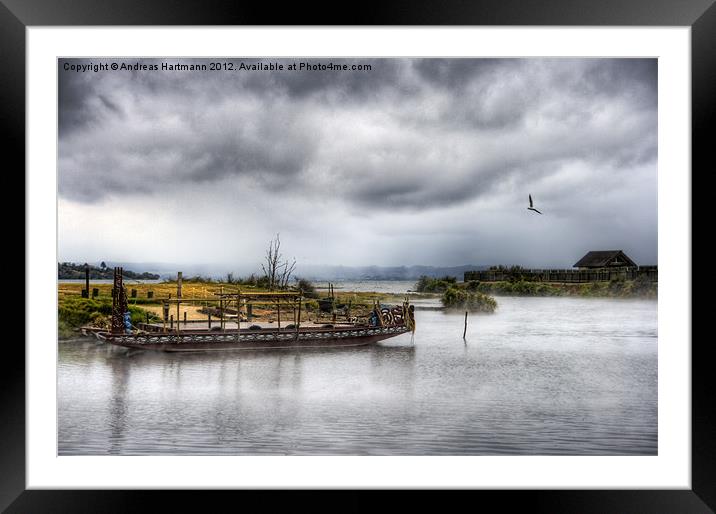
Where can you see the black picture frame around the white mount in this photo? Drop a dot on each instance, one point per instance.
(17, 15)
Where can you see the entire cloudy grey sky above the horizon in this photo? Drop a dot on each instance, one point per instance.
(414, 161)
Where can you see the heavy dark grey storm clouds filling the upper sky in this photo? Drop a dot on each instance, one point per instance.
(409, 134)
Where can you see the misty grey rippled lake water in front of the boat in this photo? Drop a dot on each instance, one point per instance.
(542, 376)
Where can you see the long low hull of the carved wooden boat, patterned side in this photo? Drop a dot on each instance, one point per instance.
(252, 340)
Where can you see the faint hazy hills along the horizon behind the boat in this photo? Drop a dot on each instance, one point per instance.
(310, 272)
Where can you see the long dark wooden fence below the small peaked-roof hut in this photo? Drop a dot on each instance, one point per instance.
(565, 275)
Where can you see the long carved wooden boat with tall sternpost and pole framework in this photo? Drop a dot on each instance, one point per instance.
(228, 334)
